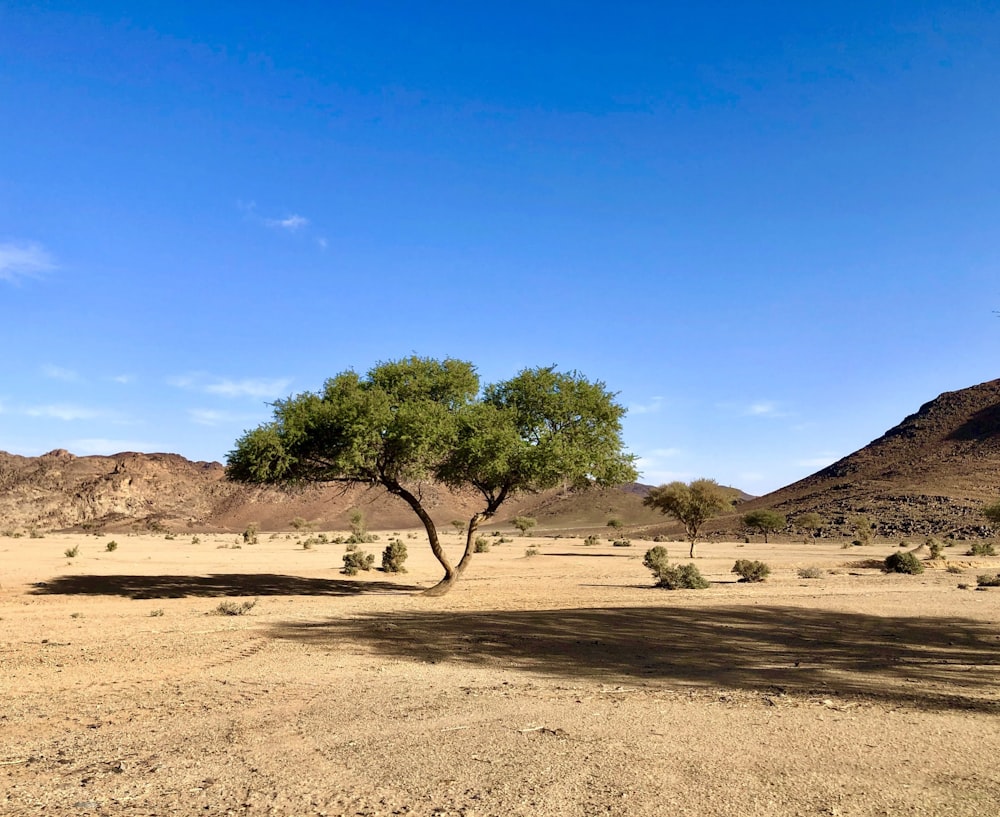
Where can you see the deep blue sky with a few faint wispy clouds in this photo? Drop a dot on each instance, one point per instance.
(772, 228)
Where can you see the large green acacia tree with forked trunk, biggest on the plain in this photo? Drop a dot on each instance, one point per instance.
(418, 419)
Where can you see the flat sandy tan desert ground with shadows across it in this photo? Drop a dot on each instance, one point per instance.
(557, 684)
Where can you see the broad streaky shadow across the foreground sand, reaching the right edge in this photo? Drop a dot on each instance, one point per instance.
(941, 663)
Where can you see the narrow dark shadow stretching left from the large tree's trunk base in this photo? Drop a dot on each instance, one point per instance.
(218, 584)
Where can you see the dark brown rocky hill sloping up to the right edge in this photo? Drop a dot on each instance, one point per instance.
(931, 474)
